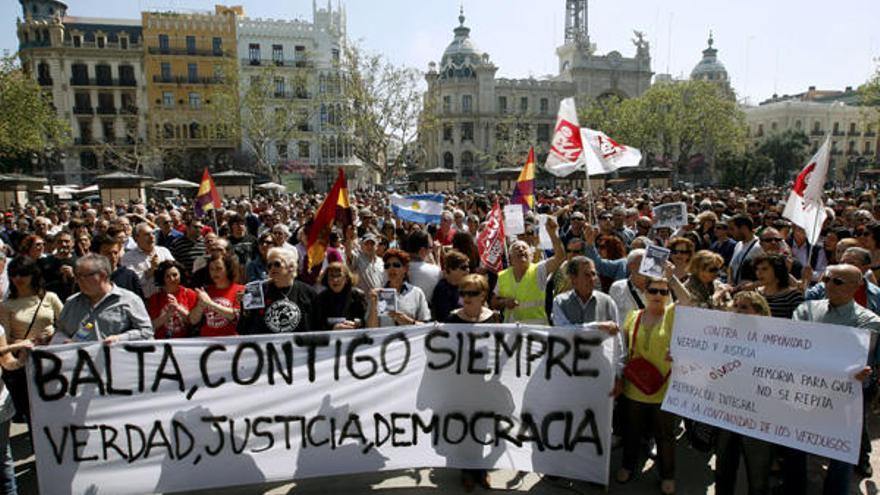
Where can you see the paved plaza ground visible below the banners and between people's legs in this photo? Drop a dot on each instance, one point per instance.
(694, 472)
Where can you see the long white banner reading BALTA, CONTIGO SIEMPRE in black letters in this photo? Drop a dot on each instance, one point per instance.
(187, 414)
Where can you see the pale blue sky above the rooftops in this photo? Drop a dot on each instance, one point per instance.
(768, 46)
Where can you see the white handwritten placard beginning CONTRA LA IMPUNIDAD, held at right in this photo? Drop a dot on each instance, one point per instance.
(783, 381)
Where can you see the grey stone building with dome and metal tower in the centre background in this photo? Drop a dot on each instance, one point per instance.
(477, 123)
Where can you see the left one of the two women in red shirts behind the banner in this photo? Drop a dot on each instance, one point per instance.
(170, 307)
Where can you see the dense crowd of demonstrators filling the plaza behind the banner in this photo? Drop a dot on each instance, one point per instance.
(91, 272)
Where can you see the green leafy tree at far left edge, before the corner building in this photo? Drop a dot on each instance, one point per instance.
(28, 123)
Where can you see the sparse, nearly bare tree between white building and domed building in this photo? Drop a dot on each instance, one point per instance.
(383, 110)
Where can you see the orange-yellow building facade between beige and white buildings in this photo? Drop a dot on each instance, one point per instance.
(188, 60)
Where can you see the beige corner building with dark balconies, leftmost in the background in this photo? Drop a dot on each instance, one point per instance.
(93, 69)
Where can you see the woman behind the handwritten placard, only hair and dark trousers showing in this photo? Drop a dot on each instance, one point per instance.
(758, 454)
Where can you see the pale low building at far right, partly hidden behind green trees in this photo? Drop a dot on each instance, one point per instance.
(816, 113)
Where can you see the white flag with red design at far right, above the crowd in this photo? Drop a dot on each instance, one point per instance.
(805, 207)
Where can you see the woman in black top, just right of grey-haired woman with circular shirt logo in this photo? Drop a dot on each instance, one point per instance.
(340, 305)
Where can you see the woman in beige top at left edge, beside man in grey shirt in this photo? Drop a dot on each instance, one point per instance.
(29, 316)
